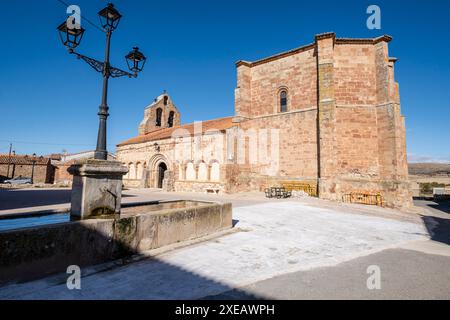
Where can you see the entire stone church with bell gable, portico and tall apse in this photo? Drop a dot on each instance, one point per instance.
(327, 114)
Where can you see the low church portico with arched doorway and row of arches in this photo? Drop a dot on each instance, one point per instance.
(177, 161)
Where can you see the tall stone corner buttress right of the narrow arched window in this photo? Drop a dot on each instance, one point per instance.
(326, 117)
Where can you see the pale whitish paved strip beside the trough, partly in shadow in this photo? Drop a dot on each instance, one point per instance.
(277, 238)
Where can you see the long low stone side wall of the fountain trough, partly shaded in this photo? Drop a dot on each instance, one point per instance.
(31, 253)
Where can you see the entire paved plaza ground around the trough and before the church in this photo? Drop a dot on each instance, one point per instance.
(292, 249)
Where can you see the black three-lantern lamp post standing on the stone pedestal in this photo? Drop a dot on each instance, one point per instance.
(71, 35)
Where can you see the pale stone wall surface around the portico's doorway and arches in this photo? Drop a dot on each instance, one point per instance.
(179, 154)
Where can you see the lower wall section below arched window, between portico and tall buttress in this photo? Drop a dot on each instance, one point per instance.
(285, 149)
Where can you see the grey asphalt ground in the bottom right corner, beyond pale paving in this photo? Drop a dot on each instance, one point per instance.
(417, 271)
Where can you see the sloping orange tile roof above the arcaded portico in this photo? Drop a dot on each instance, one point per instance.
(216, 124)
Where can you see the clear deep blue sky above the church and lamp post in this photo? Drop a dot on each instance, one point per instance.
(49, 100)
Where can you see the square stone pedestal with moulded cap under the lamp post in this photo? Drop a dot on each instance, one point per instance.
(96, 188)
